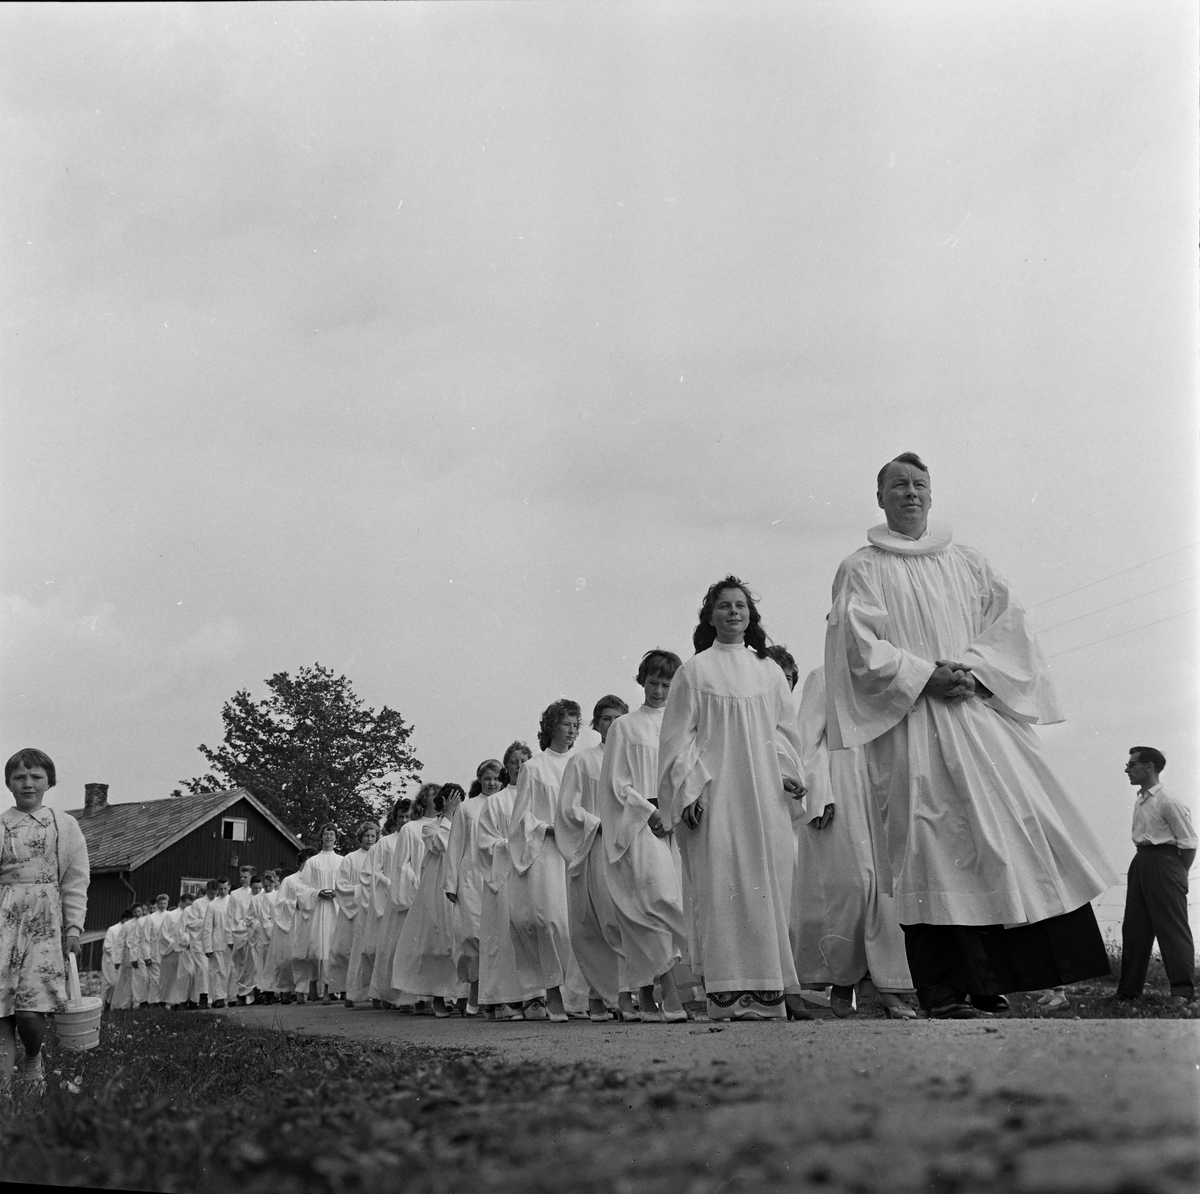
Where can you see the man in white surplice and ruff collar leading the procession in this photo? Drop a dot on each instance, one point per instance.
(929, 665)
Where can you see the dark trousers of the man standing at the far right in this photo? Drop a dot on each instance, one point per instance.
(1157, 907)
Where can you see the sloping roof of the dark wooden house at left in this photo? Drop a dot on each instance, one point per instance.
(123, 837)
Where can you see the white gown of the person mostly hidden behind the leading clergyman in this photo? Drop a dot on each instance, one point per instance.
(843, 927)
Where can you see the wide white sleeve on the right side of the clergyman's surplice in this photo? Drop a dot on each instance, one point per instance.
(1006, 657)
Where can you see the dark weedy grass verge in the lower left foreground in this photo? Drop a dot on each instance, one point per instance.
(193, 1102)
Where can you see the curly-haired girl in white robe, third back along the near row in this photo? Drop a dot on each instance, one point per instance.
(538, 916)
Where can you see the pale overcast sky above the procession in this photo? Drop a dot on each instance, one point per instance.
(461, 347)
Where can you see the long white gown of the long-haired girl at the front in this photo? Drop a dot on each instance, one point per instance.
(729, 736)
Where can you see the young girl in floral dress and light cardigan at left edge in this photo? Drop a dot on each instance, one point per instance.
(44, 899)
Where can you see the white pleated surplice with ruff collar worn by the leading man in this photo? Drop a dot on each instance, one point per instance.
(980, 830)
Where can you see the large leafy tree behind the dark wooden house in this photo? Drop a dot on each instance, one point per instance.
(311, 752)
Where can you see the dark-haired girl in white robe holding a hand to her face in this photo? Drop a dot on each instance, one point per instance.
(425, 952)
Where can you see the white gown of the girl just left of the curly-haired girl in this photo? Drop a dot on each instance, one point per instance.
(499, 979)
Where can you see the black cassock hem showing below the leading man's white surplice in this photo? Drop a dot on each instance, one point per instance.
(949, 962)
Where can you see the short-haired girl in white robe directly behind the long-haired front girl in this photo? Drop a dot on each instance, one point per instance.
(641, 871)
